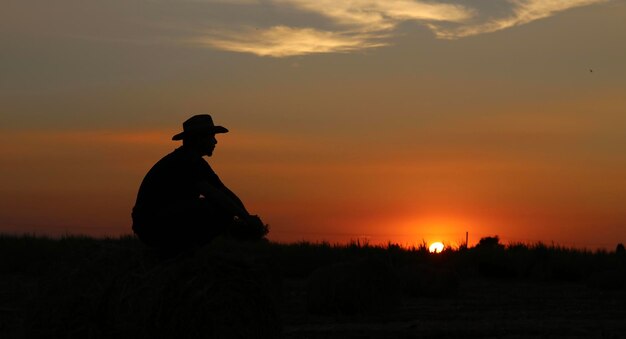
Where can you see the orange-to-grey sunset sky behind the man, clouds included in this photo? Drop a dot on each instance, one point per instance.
(400, 120)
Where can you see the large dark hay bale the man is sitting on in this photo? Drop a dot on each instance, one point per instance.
(204, 295)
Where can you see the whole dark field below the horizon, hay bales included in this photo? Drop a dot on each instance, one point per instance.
(115, 288)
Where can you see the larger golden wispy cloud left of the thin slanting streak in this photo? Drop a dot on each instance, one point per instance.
(354, 25)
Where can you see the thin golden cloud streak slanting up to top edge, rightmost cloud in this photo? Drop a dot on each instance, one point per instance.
(524, 11)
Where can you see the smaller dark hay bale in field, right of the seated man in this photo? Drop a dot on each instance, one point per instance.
(364, 286)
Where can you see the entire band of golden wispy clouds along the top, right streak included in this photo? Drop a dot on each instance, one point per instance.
(345, 26)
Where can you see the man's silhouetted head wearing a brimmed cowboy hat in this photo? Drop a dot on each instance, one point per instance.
(199, 133)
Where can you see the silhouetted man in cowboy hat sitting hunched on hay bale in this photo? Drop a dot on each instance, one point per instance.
(182, 203)
